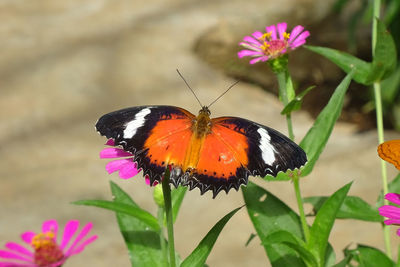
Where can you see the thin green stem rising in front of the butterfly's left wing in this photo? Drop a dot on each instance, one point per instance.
(168, 213)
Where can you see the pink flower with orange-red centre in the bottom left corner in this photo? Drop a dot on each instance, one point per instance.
(46, 251)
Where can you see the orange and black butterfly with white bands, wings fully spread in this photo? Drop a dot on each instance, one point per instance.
(208, 153)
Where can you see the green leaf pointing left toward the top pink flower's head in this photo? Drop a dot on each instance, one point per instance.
(362, 69)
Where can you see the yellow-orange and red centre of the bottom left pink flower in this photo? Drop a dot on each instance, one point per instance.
(46, 249)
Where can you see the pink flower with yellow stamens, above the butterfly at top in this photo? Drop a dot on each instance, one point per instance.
(273, 43)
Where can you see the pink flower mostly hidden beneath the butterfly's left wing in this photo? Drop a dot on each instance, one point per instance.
(124, 162)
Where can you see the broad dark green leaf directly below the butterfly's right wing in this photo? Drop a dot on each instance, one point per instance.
(268, 215)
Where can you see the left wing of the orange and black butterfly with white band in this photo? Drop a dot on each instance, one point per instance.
(155, 135)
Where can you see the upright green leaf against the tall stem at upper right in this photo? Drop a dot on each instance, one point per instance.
(385, 58)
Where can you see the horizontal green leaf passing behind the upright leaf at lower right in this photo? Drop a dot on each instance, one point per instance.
(352, 208)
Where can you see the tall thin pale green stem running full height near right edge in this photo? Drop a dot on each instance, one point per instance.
(379, 122)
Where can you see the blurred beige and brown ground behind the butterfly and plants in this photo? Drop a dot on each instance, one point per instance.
(63, 64)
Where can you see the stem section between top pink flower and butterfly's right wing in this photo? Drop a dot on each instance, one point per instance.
(286, 94)
